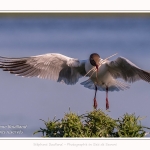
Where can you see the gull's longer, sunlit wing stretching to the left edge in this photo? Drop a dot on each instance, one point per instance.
(48, 66)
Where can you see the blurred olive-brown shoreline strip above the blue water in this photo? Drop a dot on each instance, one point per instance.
(74, 14)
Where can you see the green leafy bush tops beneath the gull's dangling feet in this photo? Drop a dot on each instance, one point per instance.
(95, 123)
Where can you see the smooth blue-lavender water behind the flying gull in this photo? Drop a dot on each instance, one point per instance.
(26, 100)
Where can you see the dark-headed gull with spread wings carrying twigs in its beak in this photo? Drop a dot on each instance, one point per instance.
(102, 73)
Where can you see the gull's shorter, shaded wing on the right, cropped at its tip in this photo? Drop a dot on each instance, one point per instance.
(125, 69)
